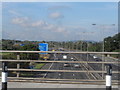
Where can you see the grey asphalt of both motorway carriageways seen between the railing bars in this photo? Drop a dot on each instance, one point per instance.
(77, 57)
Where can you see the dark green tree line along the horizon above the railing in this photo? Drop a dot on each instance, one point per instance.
(111, 44)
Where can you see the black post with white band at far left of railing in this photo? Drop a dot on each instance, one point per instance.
(4, 76)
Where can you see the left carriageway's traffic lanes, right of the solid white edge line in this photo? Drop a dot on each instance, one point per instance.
(60, 66)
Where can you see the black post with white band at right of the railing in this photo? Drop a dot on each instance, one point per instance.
(109, 77)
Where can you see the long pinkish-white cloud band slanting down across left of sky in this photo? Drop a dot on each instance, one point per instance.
(43, 25)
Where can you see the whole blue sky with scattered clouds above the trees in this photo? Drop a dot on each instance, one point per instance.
(59, 21)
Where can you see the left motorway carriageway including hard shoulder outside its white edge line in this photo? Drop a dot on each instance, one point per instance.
(60, 66)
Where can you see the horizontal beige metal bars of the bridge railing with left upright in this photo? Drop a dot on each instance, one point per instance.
(60, 61)
